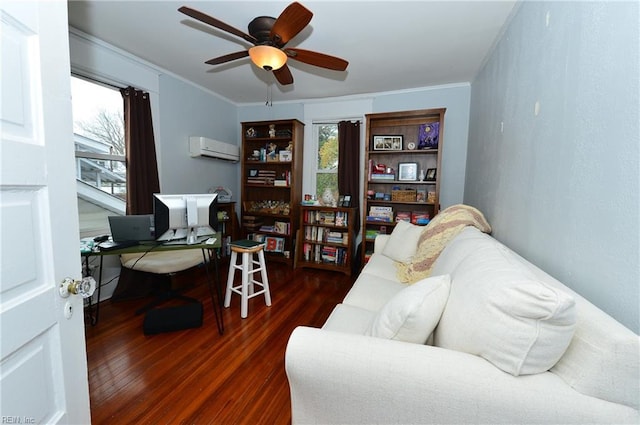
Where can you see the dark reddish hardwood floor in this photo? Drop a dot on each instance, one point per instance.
(196, 376)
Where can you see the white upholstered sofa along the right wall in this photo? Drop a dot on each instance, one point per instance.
(340, 374)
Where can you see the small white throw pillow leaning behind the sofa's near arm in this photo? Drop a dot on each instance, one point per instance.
(413, 313)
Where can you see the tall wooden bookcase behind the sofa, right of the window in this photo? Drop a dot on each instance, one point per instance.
(399, 196)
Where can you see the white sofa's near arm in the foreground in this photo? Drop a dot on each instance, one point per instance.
(345, 378)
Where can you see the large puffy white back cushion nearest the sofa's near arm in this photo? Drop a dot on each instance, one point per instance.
(499, 310)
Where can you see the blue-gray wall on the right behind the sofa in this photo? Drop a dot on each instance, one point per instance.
(559, 181)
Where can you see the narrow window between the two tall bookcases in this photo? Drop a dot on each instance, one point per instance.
(326, 136)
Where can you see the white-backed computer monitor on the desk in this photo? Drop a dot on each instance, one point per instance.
(188, 218)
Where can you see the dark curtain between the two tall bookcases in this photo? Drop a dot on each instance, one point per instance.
(349, 163)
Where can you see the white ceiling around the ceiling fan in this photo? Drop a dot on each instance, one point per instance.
(390, 45)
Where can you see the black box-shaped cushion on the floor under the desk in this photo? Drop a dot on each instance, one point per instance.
(174, 318)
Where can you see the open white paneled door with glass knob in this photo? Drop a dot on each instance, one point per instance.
(43, 369)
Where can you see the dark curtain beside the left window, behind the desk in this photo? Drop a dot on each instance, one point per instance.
(140, 148)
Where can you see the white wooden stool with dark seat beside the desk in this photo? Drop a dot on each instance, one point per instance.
(246, 289)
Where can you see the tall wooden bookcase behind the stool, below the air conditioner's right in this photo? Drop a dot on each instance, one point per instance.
(271, 190)
